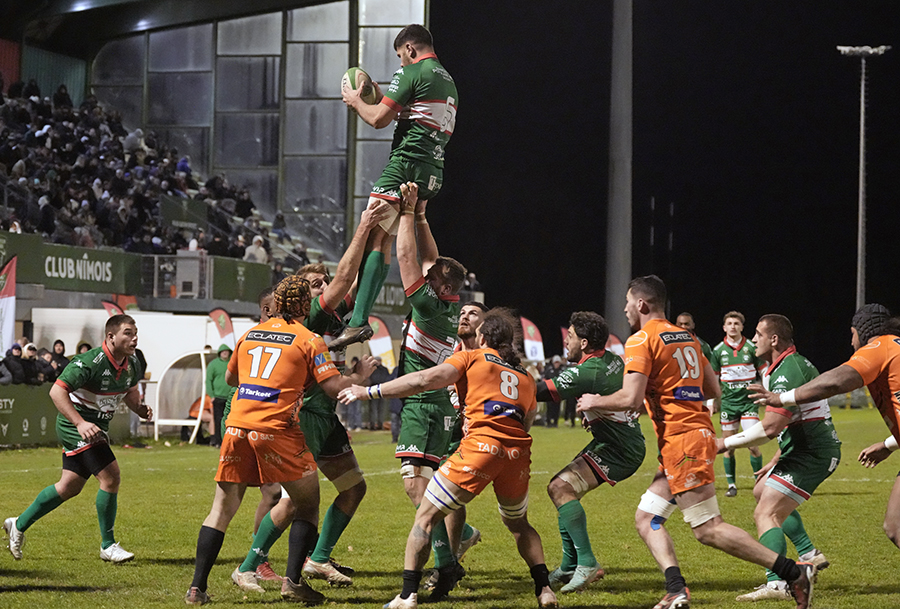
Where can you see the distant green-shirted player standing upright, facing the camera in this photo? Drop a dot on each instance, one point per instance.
(734, 360)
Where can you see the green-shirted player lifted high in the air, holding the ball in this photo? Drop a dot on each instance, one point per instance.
(422, 97)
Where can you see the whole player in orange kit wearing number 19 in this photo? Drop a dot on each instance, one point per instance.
(665, 366)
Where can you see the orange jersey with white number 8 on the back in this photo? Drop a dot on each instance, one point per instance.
(498, 397)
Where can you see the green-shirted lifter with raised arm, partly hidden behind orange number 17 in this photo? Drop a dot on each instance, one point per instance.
(325, 435)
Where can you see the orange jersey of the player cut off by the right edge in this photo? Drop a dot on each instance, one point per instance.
(878, 363)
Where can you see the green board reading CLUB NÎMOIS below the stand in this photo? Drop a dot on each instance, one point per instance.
(62, 267)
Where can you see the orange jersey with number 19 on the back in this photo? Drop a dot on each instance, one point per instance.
(673, 362)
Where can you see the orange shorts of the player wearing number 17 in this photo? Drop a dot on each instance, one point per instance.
(258, 457)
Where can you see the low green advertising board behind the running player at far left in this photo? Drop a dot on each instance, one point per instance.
(28, 416)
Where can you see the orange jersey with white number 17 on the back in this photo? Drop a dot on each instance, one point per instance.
(275, 362)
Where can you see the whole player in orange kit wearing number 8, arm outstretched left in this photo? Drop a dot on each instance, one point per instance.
(496, 448)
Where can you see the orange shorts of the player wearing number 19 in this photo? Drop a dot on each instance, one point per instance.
(687, 459)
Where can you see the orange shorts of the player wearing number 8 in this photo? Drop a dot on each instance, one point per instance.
(482, 460)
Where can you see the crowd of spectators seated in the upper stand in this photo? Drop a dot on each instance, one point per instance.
(77, 176)
